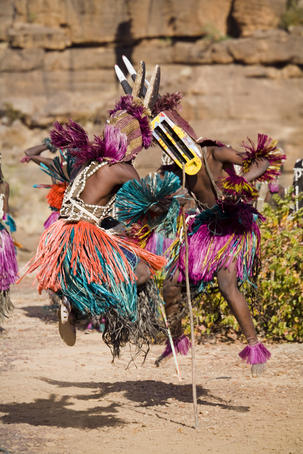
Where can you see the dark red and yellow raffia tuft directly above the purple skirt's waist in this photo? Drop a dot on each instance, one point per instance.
(236, 186)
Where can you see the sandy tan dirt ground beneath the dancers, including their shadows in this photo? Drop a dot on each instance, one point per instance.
(57, 399)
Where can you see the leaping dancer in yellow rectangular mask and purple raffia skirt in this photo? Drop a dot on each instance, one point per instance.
(223, 233)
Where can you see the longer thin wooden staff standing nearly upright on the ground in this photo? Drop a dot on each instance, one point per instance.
(193, 356)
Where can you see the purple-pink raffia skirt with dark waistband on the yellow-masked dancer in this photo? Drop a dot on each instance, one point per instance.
(220, 236)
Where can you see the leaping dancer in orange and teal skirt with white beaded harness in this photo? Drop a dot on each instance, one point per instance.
(96, 270)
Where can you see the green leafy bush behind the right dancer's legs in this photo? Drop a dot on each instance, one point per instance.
(278, 302)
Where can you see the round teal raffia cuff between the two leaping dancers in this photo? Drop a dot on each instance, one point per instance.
(136, 198)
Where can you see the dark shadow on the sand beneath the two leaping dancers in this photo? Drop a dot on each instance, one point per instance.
(145, 394)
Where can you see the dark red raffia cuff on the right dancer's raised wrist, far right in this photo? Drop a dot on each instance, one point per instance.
(266, 148)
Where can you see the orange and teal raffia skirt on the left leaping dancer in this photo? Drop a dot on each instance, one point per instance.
(94, 269)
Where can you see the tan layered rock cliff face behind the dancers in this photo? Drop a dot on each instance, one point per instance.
(239, 73)
